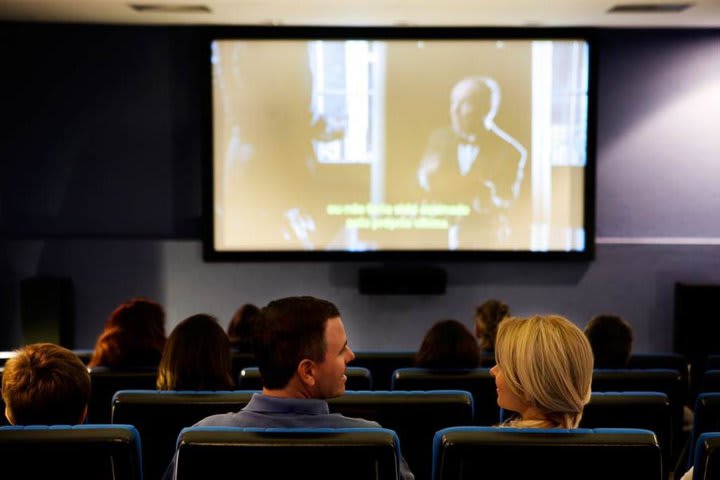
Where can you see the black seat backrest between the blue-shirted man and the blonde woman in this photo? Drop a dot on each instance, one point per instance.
(415, 416)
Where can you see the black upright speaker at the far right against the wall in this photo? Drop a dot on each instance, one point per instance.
(697, 320)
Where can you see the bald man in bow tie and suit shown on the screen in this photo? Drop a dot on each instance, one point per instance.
(476, 163)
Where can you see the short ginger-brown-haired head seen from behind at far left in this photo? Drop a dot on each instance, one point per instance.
(45, 384)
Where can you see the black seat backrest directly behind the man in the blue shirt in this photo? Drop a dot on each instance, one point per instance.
(352, 453)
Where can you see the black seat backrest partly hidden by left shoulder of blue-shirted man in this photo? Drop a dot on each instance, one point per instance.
(159, 416)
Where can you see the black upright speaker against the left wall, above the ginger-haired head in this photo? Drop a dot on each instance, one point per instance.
(47, 310)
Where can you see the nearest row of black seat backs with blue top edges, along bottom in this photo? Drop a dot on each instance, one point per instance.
(459, 453)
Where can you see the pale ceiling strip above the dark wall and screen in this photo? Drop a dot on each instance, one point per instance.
(504, 13)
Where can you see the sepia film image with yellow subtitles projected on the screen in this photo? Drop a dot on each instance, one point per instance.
(400, 145)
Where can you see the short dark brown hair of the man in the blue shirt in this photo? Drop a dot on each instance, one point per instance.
(290, 330)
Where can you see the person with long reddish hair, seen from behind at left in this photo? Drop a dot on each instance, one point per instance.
(134, 336)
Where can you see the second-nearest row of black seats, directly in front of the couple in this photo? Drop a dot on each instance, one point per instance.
(415, 416)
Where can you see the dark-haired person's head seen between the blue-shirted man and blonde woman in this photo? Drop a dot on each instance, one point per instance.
(448, 344)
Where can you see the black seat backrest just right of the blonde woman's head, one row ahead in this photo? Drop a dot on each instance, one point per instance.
(643, 410)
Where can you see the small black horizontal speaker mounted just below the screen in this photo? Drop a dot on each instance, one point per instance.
(402, 280)
